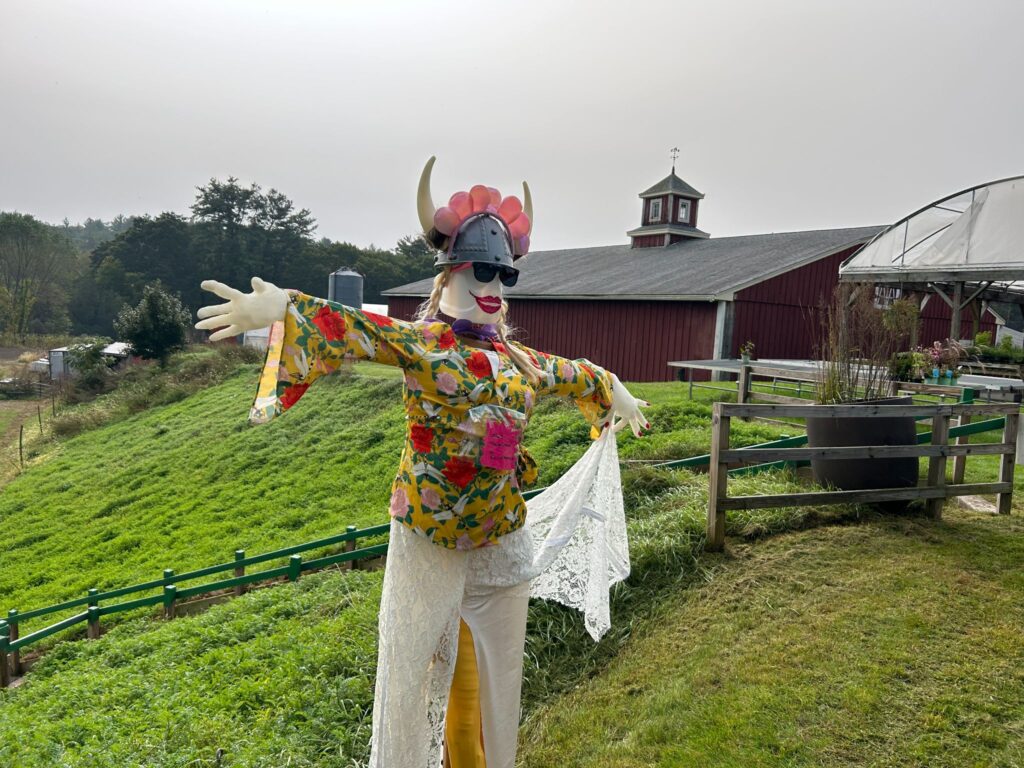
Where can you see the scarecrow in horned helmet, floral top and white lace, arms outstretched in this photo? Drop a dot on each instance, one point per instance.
(461, 552)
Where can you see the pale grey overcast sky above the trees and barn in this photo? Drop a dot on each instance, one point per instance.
(788, 115)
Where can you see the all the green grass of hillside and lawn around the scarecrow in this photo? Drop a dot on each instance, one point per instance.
(801, 649)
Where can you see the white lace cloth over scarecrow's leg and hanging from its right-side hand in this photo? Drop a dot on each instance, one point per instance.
(574, 548)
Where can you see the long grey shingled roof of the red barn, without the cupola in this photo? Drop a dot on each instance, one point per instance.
(693, 270)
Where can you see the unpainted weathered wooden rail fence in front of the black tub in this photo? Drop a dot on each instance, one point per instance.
(936, 491)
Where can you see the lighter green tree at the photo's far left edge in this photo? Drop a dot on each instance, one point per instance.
(32, 260)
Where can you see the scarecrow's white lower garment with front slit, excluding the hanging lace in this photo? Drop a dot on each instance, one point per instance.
(426, 589)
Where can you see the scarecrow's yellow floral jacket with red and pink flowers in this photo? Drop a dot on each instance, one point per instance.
(466, 408)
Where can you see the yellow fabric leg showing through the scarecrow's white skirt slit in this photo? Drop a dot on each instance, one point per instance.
(463, 737)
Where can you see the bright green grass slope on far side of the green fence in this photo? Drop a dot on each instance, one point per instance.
(185, 485)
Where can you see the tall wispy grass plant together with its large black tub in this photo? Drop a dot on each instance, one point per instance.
(860, 343)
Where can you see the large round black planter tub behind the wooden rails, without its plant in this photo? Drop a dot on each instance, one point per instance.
(861, 475)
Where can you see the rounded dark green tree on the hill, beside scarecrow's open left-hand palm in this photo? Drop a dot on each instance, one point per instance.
(157, 327)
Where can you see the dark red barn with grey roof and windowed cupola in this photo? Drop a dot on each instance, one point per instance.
(674, 293)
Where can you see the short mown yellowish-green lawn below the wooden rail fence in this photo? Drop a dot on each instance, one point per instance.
(893, 644)
